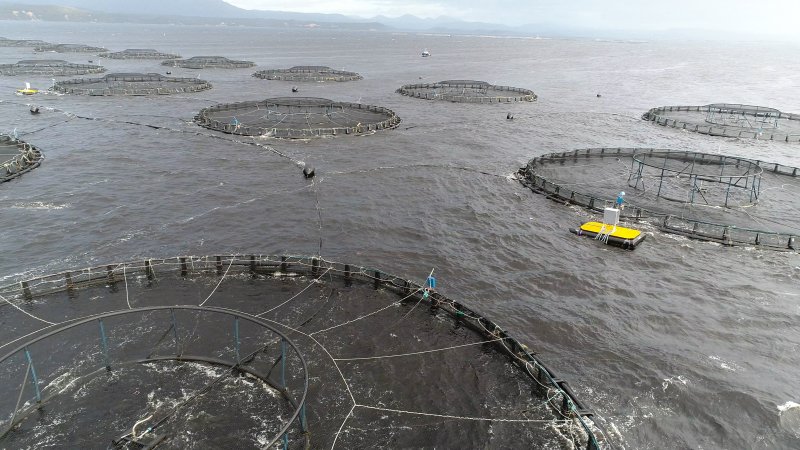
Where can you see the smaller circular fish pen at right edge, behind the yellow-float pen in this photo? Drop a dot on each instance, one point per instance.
(729, 120)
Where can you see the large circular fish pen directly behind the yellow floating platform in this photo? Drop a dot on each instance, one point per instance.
(730, 200)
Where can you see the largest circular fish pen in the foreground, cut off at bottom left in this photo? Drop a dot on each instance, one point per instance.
(253, 351)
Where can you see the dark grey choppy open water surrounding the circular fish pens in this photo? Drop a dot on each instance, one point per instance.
(679, 344)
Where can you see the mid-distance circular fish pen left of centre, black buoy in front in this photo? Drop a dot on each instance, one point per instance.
(296, 117)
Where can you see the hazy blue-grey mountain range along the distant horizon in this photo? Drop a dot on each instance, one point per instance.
(218, 12)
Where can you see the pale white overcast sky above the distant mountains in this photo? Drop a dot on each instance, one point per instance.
(777, 17)
